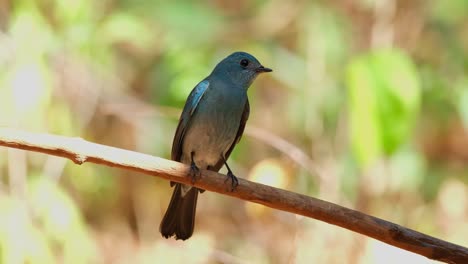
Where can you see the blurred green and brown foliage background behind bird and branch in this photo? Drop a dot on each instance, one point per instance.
(367, 107)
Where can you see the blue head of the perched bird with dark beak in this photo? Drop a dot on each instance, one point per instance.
(241, 68)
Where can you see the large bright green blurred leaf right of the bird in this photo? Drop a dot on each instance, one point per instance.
(384, 98)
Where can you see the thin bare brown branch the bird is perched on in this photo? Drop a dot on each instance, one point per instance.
(80, 151)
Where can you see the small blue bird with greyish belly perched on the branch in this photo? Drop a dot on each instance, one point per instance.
(211, 124)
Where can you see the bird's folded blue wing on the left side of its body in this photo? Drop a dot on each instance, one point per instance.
(184, 121)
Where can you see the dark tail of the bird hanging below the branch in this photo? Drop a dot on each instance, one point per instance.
(179, 219)
